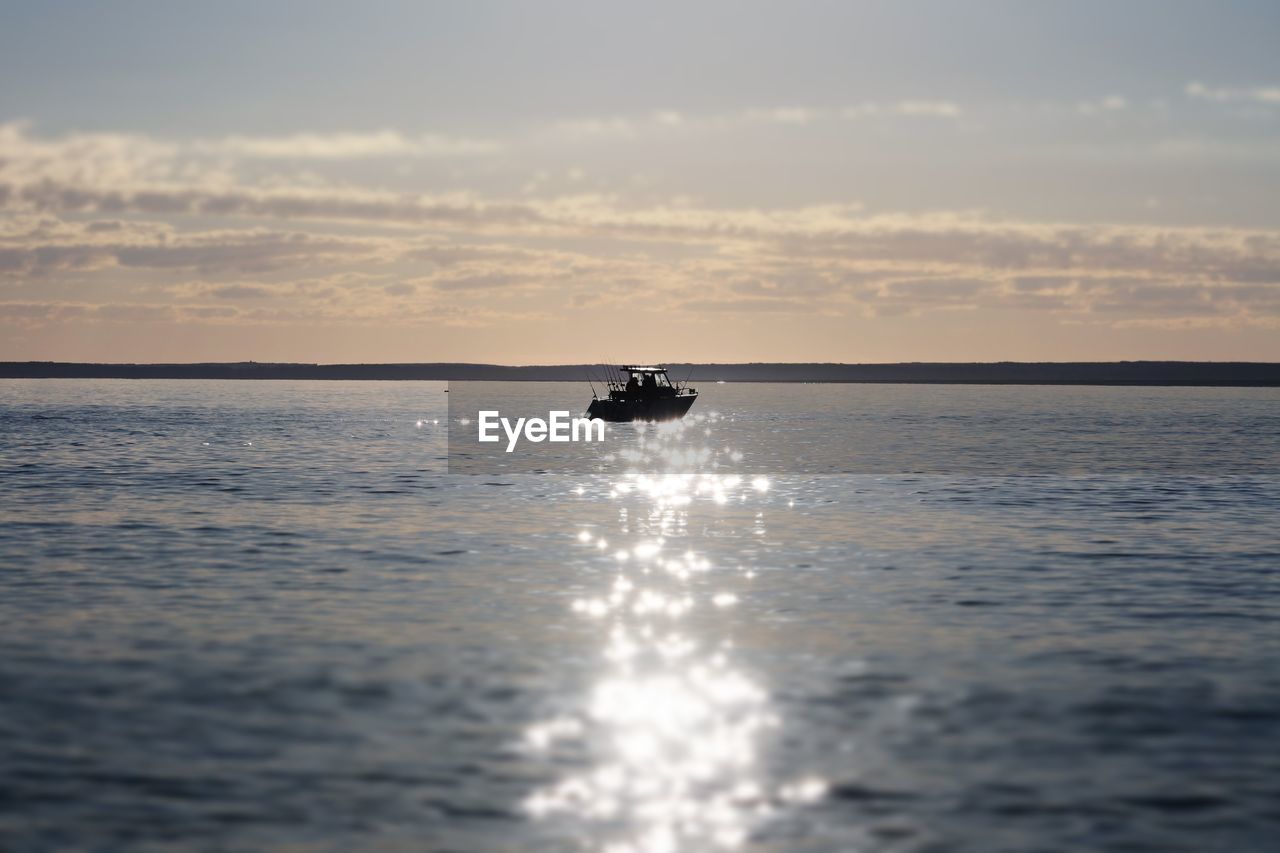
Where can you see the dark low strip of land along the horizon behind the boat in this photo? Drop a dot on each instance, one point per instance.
(1049, 373)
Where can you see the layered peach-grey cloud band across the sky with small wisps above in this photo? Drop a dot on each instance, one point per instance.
(83, 209)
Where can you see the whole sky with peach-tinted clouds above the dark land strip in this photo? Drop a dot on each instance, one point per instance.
(564, 183)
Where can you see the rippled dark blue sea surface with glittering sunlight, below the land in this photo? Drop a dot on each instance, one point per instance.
(255, 615)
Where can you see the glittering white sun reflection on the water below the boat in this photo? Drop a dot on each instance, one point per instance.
(671, 727)
